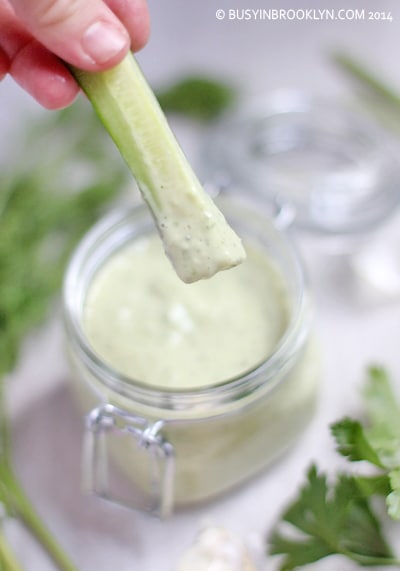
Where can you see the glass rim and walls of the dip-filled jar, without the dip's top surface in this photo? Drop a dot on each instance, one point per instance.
(157, 449)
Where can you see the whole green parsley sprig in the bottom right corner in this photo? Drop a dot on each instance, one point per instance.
(337, 517)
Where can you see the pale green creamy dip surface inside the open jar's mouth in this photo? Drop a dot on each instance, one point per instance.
(149, 325)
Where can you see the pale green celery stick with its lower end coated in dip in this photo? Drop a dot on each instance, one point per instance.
(196, 236)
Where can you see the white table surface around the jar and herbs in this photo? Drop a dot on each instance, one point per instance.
(355, 326)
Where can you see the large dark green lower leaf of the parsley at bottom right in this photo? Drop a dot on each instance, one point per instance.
(330, 519)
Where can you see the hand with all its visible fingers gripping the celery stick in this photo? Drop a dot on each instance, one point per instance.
(35, 35)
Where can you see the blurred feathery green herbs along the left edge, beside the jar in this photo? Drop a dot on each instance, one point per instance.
(45, 206)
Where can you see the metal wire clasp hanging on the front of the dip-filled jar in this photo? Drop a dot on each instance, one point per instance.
(113, 467)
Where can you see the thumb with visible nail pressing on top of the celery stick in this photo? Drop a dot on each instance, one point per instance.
(85, 33)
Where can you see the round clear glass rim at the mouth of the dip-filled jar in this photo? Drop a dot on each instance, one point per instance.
(287, 347)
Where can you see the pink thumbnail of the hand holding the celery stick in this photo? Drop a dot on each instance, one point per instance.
(103, 41)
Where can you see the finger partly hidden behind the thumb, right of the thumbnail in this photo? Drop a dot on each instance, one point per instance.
(134, 14)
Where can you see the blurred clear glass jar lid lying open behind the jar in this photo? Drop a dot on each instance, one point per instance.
(331, 166)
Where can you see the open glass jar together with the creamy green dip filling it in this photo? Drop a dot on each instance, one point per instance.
(195, 388)
